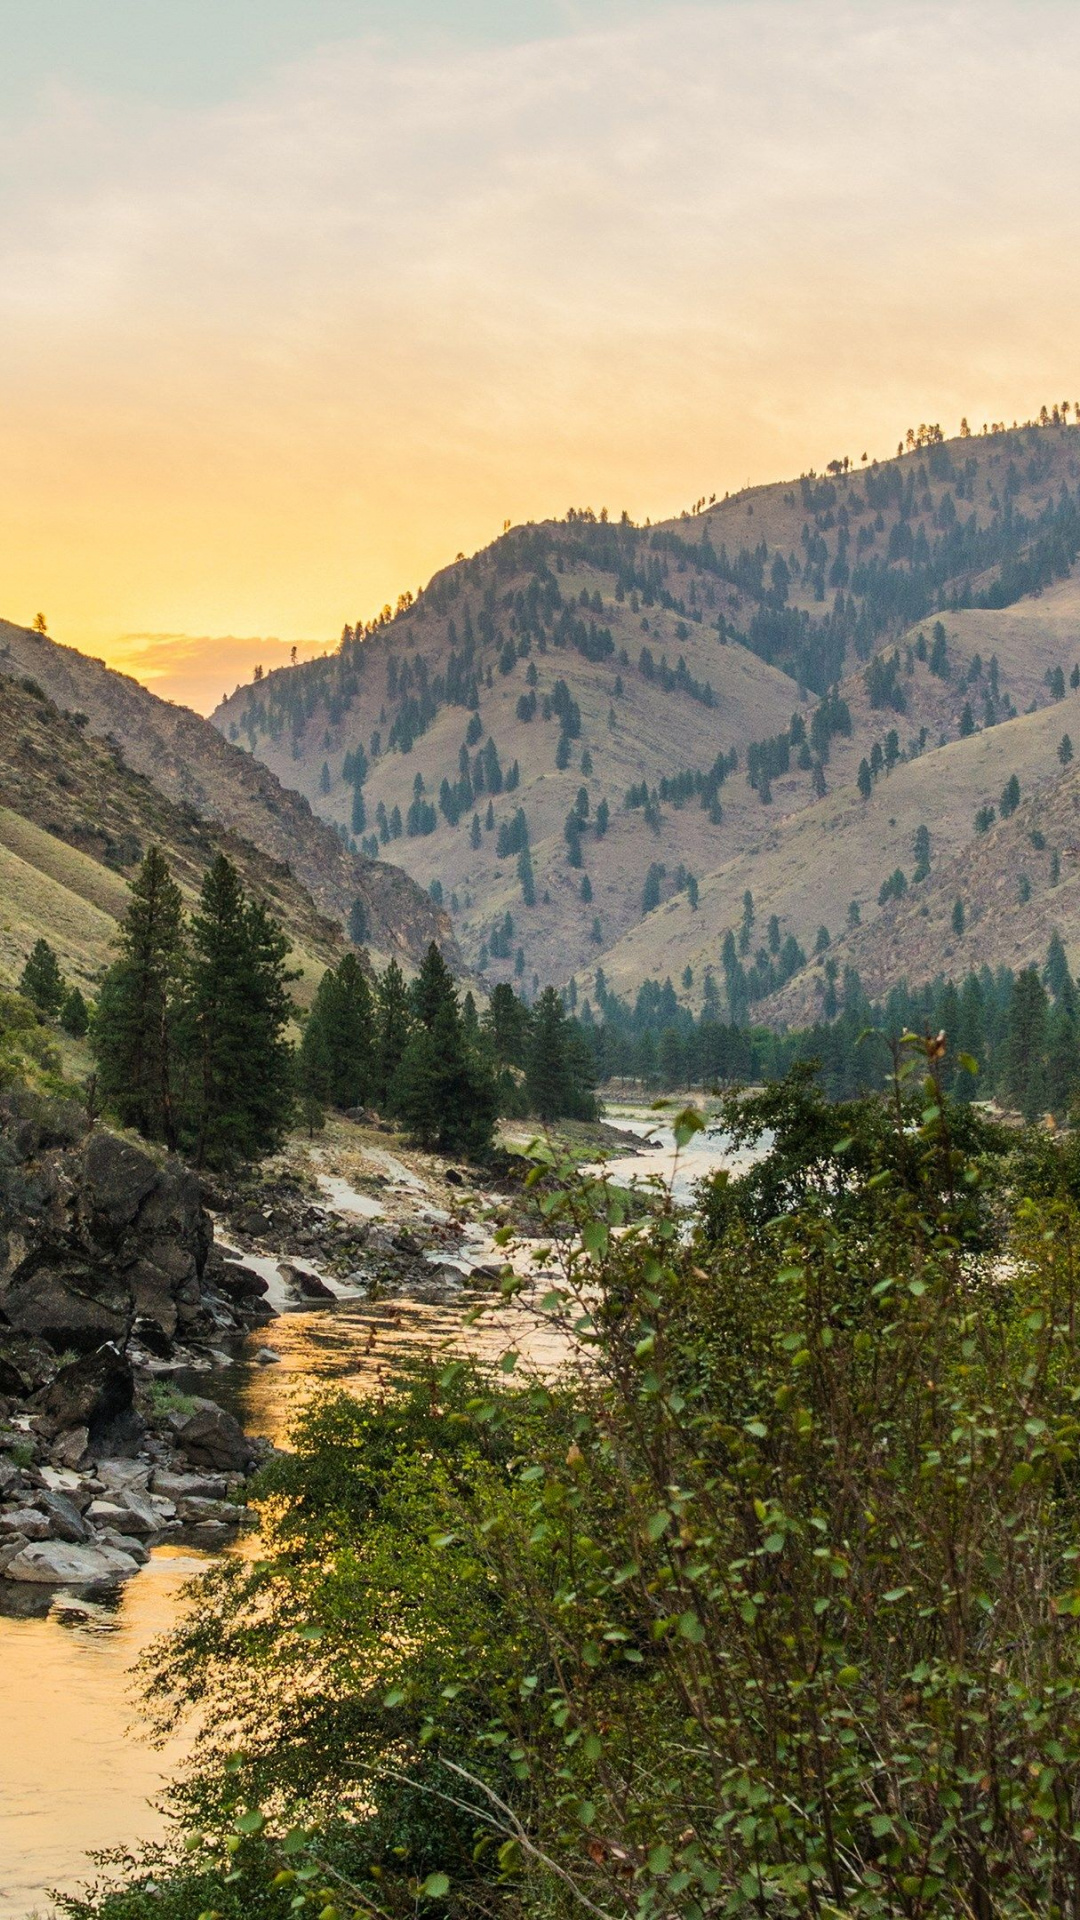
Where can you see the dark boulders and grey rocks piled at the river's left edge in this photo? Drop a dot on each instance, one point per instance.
(109, 1272)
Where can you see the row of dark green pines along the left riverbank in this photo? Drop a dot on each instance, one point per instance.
(201, 1045)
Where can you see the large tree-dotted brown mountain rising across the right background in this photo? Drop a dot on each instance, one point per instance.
(718, 683)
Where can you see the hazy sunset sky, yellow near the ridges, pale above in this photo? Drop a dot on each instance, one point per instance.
(303, 299)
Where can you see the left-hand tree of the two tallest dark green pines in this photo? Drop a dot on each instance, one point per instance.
(135, 1024)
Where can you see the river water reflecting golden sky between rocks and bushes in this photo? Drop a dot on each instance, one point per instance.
(76, 1769)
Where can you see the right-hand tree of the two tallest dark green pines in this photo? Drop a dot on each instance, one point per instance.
(237, 1011)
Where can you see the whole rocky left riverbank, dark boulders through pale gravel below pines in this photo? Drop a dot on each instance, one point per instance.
(120, 1270)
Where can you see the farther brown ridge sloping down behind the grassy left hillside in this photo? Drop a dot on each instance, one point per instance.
(197, 771)
